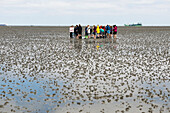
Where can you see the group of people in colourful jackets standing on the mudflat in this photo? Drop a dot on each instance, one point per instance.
(93, 32)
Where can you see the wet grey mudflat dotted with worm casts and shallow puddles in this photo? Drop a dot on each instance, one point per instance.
(42, 70)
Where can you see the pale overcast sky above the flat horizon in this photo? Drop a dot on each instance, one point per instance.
(67, 12)
